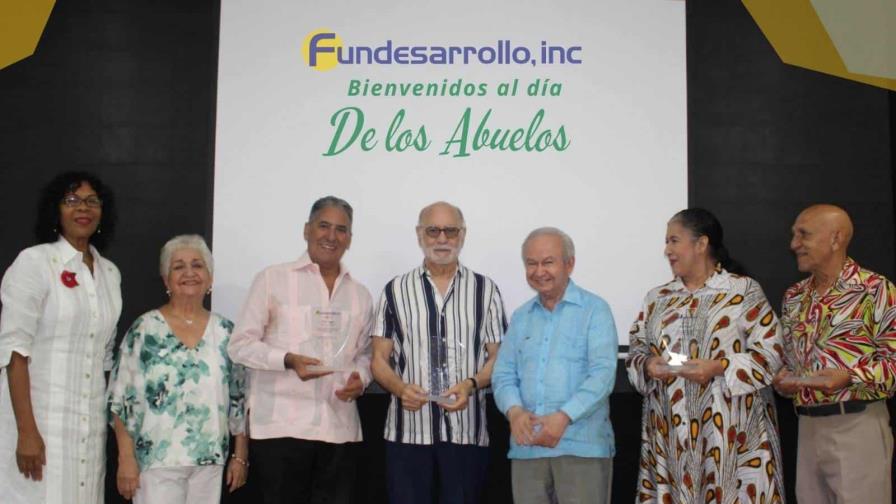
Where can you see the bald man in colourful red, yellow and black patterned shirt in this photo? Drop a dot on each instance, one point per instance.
(840, 345)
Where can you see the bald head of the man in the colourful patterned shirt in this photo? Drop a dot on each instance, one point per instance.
(821, 236)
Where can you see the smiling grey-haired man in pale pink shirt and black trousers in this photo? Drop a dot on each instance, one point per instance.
(304, 335)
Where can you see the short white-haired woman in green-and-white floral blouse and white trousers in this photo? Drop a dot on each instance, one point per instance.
(175, 397)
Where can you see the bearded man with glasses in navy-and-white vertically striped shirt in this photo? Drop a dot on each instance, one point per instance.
(435, 340)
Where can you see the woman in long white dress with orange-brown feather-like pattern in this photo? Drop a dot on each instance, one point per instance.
(709, 430)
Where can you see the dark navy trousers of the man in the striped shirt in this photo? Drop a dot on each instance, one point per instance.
(443, 473)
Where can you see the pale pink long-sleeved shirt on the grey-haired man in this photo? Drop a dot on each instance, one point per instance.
(277, 318)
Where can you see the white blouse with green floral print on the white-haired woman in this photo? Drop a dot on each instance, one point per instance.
(180, 405)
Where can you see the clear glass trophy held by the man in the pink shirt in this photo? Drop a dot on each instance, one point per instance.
(328, 342)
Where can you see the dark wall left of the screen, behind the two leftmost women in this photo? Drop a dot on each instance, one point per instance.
(125, 90)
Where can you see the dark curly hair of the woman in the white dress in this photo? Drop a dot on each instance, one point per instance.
(47, 228)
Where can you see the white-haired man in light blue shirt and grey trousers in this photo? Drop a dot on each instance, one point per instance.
(553, 379)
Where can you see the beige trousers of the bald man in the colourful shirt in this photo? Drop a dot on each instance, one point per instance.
(845, 459)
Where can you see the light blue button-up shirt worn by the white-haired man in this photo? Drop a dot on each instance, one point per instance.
(561, 360)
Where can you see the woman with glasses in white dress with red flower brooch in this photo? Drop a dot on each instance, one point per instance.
(61, 303)
